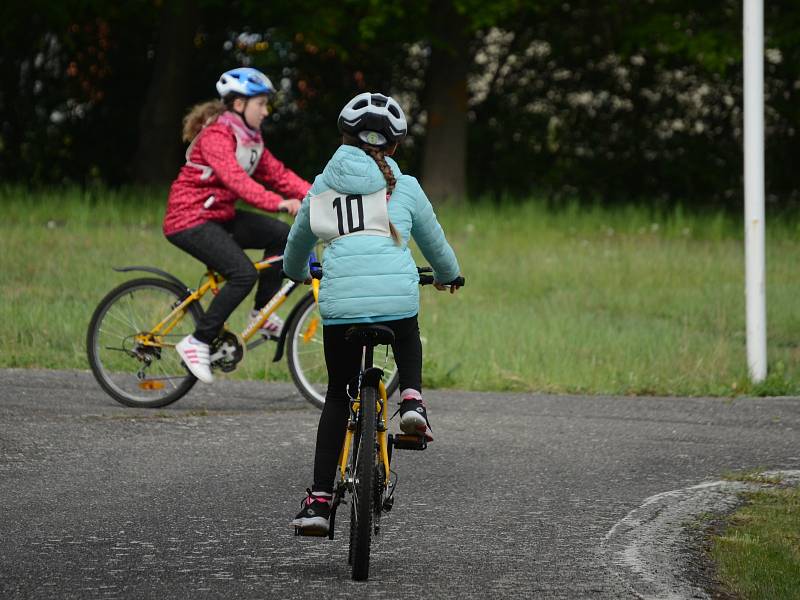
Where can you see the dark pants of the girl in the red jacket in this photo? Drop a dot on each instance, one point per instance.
(220, 246)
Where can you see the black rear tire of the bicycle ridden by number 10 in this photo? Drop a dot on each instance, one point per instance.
(361, 528)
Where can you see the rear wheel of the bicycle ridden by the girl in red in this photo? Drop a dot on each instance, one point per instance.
(112, 371)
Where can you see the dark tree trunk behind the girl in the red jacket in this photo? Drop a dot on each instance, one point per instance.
(159, 153)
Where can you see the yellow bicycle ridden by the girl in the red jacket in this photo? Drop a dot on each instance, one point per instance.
(133, 331)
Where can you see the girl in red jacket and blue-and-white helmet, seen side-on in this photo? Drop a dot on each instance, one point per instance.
(225, 157)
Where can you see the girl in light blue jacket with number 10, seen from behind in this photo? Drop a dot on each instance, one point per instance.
(366, 210)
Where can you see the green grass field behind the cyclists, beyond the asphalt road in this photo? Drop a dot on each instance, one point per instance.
(599, 301)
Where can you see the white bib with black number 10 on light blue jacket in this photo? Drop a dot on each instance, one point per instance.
(334, 215)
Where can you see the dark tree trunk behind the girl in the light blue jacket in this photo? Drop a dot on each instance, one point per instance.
(445, 152)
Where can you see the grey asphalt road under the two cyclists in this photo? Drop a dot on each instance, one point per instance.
(513, 500)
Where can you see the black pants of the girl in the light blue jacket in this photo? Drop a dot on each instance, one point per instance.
(343, 361)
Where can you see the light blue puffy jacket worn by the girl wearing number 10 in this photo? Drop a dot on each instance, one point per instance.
(369, 278)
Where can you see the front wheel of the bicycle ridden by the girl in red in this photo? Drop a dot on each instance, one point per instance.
(305, 355)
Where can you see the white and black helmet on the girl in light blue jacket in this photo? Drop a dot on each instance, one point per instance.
(375, 119)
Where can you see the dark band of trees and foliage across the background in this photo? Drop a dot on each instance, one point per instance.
(596, 100)
